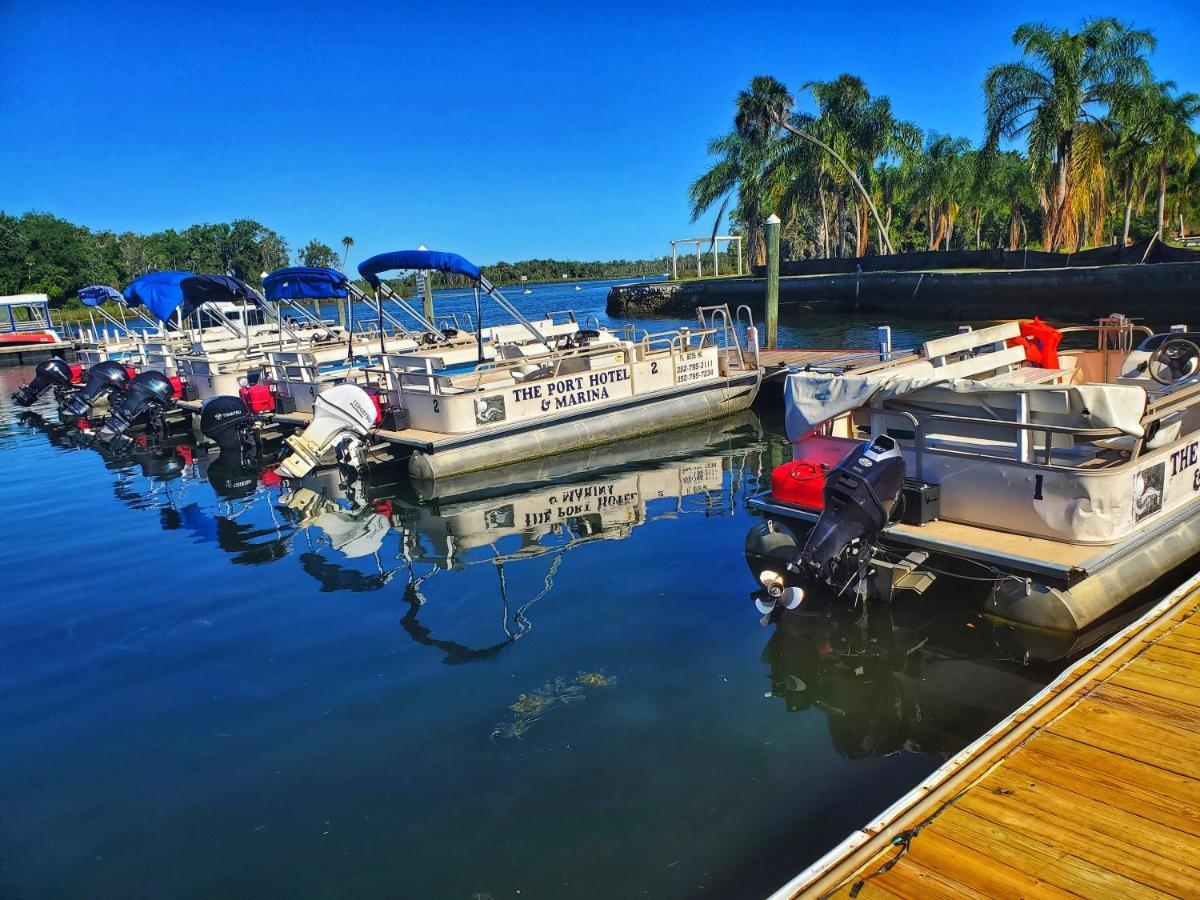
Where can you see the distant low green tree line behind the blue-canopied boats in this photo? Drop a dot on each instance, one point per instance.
(44, 254)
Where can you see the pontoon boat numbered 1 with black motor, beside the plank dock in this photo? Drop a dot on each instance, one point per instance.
(1071, 475)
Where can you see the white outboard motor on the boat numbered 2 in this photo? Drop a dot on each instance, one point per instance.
(341, 419)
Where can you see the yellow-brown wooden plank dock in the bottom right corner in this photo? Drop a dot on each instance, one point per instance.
(1093, 789)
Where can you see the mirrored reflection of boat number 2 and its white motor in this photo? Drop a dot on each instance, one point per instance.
(512, 517)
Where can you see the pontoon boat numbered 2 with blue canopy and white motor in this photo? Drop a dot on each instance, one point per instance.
(536, 397)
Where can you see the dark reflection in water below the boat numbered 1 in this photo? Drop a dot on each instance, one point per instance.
(922, 675)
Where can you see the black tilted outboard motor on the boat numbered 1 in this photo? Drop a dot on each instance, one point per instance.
(861, 494)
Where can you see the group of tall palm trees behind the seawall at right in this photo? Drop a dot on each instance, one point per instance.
(1083, 147)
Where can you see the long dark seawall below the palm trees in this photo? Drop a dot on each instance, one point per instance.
(1162, 295)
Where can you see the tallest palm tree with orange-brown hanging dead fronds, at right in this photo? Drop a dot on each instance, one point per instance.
(1057, 92)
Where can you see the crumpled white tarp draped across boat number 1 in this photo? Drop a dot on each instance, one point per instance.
(815, 398)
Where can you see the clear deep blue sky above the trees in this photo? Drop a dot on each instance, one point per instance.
(503, 131)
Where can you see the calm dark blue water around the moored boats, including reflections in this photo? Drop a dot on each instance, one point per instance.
(549, 683)
